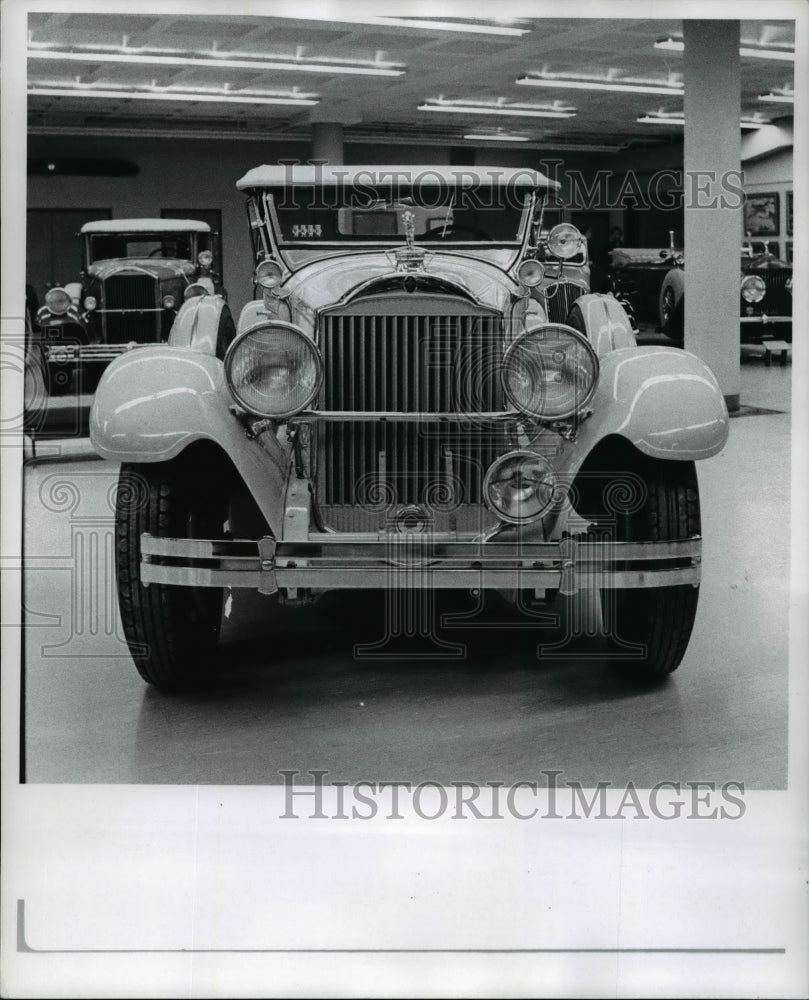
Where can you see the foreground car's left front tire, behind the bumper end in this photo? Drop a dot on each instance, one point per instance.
(172, 631)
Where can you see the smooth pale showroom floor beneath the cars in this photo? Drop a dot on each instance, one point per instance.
(299, 698)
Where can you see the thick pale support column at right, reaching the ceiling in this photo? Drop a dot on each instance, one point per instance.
(712, 105)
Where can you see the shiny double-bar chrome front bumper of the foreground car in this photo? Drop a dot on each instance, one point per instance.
(346, 562)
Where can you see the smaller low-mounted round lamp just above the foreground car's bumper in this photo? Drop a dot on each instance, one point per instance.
(520, 486)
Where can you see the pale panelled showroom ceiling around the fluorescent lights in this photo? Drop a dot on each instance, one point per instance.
(439, 65)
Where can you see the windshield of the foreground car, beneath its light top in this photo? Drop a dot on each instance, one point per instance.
(308, 215)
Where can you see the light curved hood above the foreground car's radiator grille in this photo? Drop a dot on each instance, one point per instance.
(339, 280)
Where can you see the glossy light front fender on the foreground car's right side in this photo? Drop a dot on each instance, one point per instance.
(664, 400)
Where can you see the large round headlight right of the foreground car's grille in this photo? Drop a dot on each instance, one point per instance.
(550, 371)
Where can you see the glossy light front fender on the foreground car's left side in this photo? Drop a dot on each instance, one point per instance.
(153, 402)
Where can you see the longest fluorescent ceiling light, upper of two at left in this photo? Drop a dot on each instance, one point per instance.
(213, 61)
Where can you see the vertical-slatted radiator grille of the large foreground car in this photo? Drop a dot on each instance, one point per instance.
(423, 364)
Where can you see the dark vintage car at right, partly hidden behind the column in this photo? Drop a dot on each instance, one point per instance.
(651, 285)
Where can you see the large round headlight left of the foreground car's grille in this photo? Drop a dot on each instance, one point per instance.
(274, 370)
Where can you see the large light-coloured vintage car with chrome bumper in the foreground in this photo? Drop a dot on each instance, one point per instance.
(423, 396)
